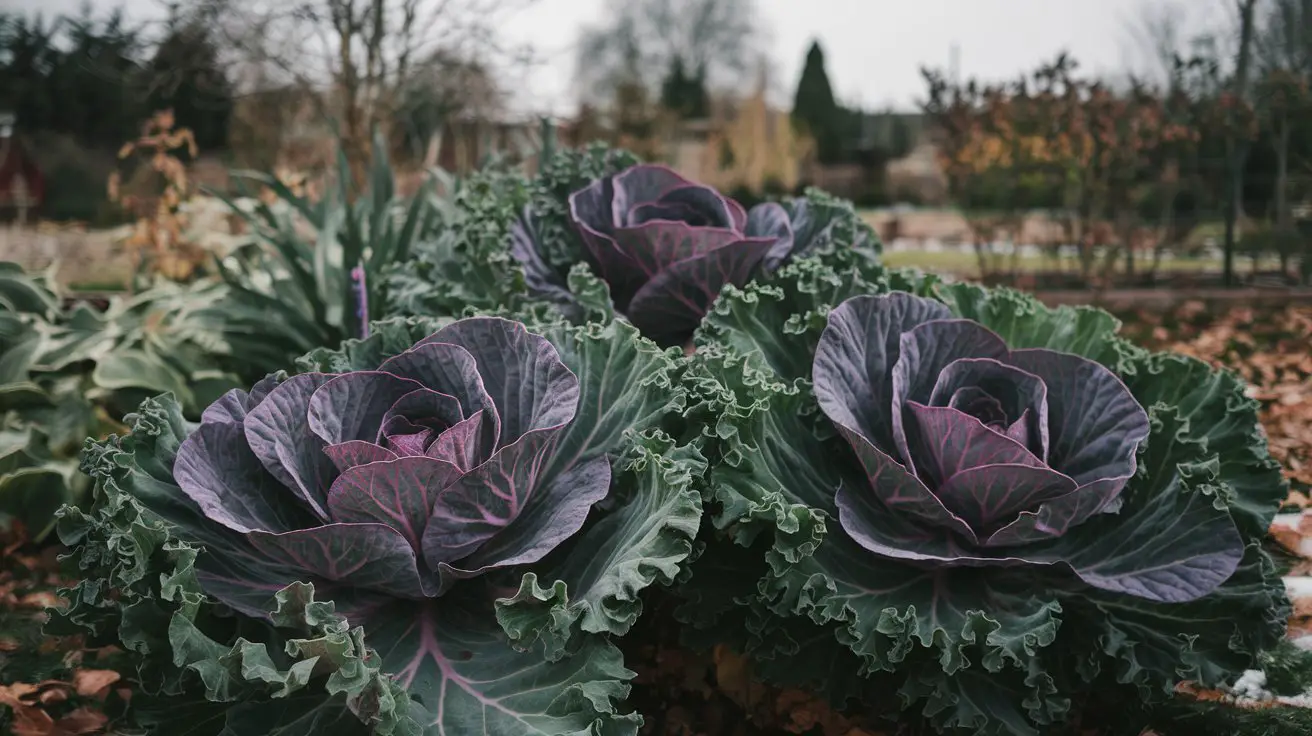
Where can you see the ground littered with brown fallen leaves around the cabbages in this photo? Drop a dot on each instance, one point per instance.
(58, 687)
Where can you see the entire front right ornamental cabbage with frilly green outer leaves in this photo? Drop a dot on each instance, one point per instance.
(994, 507)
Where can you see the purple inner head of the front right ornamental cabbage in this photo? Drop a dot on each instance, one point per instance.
(978, 455)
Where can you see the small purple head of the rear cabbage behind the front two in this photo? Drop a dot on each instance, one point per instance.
(667, 246)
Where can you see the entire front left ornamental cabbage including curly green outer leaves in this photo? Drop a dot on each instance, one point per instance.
(423, 508)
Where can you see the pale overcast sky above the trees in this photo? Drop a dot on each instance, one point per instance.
(874, 48)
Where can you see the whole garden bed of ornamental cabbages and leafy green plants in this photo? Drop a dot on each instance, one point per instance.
(528, 464)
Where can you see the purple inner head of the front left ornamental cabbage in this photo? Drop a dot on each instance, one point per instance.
(400, 481)
